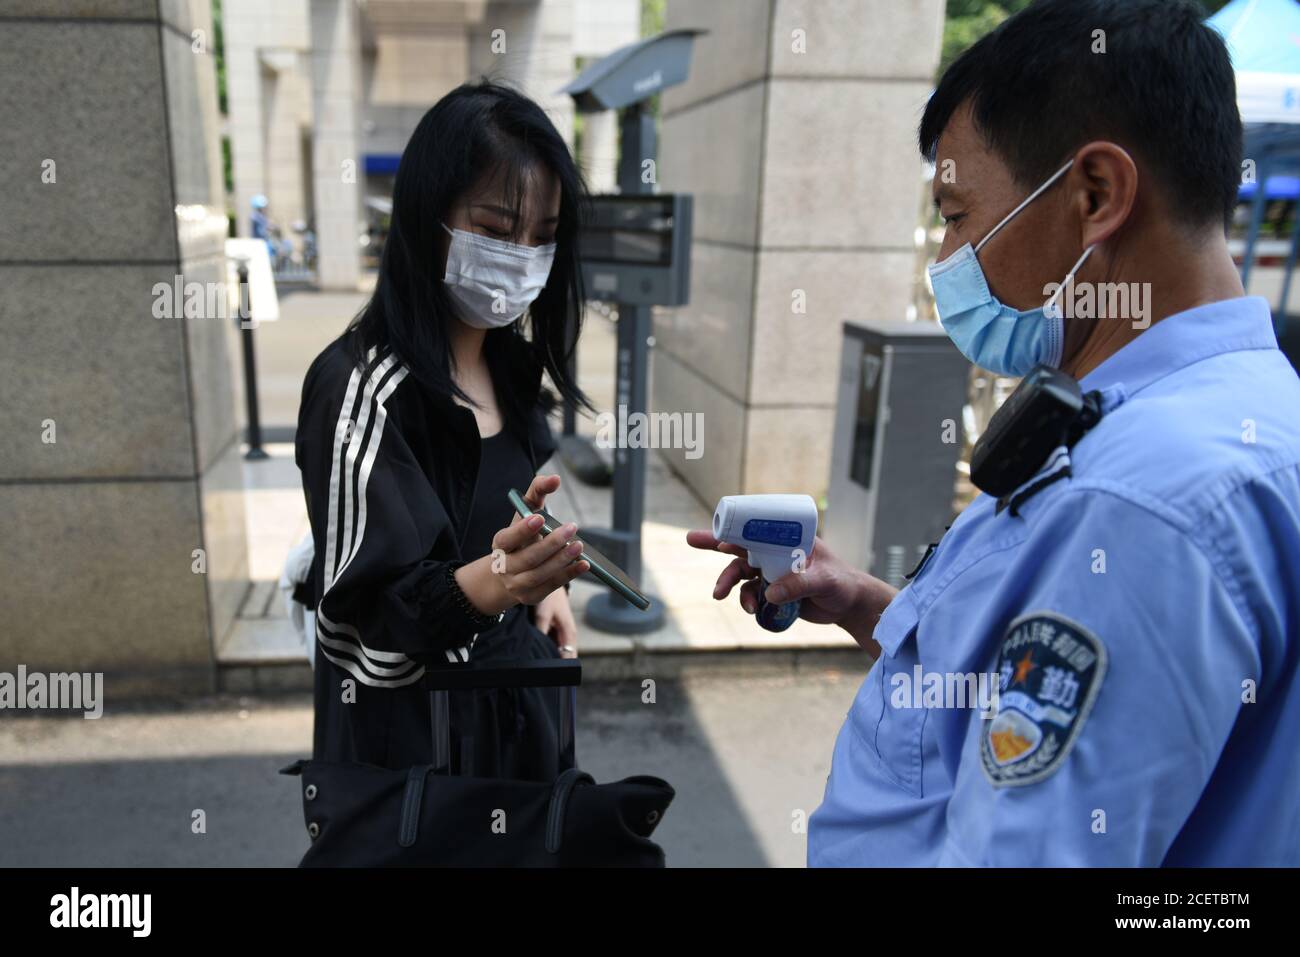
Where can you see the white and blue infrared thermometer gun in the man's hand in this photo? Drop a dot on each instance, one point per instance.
(778, 532)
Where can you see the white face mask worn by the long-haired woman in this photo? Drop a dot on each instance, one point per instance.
(492, 280)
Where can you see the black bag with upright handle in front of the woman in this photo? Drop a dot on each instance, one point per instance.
(361, 816)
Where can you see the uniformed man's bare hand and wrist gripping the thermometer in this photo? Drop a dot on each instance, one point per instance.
(833, 592)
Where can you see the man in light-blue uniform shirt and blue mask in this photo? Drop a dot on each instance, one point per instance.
(1137, 603)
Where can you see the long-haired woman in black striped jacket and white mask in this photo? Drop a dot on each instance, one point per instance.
(418, 421)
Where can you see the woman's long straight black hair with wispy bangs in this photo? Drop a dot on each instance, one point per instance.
(476, 131)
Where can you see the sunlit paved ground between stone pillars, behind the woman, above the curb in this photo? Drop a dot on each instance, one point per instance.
(679, 575)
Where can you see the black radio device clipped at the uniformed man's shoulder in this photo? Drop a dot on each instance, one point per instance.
(1046, 412)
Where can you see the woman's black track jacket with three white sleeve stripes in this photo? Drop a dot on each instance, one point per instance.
(389, 473)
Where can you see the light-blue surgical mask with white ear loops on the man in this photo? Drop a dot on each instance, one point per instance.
(994, 336)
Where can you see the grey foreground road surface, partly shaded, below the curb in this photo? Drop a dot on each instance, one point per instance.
(748, 756)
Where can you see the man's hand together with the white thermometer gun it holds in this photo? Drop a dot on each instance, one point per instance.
(788, 573)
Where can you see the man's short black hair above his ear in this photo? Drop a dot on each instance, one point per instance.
(1164, 90)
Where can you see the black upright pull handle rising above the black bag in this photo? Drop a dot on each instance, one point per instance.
(562, 674)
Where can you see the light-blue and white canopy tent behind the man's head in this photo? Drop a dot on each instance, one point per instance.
(1264, 41)
